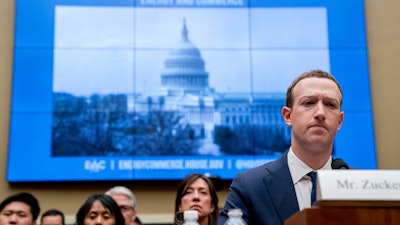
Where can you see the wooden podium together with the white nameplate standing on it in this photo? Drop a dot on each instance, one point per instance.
(353, 197)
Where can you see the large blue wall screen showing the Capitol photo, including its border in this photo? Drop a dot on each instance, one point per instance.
(156, 89)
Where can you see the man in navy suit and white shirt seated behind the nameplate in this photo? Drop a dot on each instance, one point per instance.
(271, 193)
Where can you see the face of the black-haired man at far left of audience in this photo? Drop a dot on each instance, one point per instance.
(17, 213)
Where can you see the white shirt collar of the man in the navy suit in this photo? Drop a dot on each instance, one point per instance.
(298, 168)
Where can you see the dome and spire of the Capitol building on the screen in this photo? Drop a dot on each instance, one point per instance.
(184, 68)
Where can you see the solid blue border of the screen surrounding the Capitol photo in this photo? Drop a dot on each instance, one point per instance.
(29, 157)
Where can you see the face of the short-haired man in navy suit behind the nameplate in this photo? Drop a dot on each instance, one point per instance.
(315, 116)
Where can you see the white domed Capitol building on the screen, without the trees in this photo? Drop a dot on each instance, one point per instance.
(185, 89)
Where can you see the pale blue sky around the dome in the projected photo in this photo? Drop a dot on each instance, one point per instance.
(108, 50)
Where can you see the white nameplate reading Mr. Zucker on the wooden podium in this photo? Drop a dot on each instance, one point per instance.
(358, 188)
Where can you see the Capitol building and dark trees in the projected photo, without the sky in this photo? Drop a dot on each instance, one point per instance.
(185, 115)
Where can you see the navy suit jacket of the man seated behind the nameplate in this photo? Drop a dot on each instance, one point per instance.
(265, 194)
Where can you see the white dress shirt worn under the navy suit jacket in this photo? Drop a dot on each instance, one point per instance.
(301, 181)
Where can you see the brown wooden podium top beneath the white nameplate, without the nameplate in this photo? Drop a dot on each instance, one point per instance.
(318, 215)
